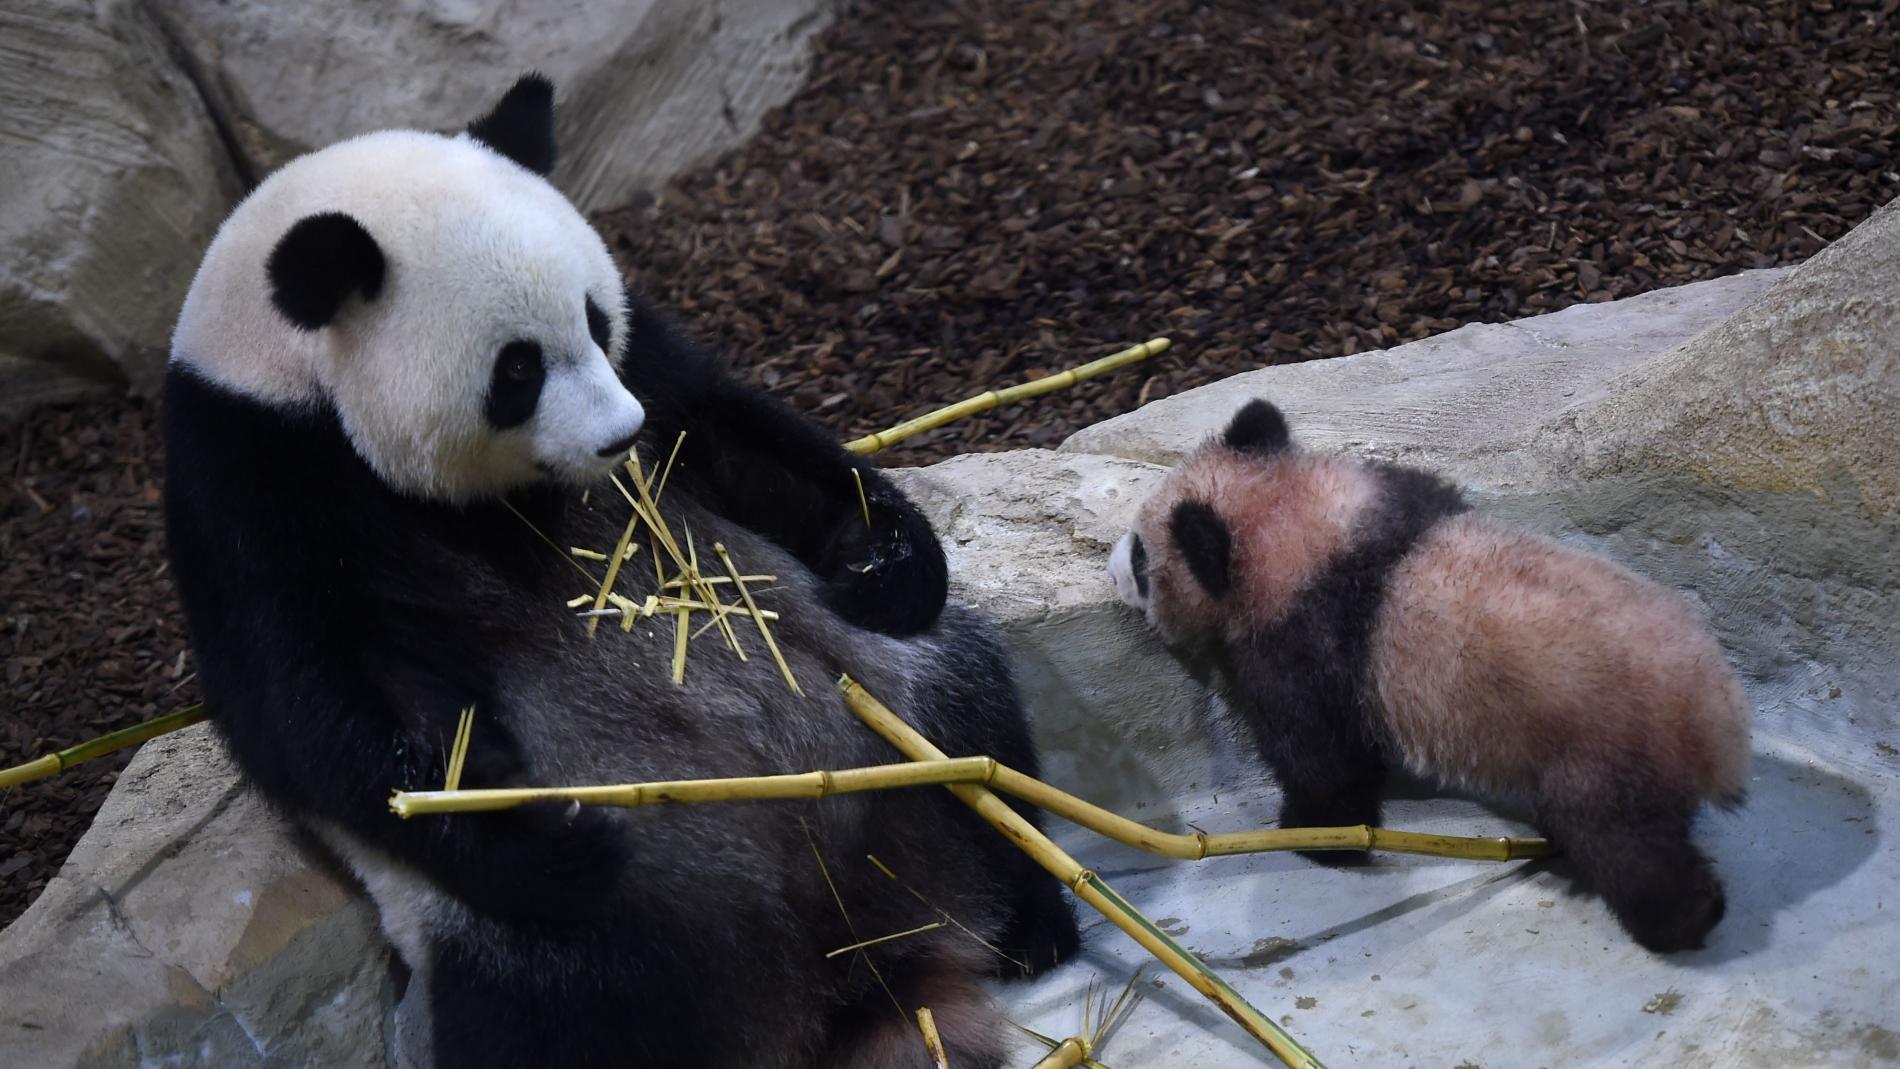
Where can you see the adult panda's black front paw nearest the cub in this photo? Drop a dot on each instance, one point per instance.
(888, 576)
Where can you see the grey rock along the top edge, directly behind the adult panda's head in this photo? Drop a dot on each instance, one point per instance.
(649, 88)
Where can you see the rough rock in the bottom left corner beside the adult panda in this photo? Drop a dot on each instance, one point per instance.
(193, 929)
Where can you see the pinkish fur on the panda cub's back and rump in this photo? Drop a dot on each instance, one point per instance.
(1506, 660)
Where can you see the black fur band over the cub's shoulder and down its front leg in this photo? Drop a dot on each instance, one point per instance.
(1306, 685)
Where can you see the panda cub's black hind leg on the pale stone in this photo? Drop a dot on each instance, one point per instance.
(1633, 846)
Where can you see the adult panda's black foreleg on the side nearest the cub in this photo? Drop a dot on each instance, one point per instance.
(765, 466)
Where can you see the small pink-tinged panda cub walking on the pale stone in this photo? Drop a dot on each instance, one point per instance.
(1361, 616)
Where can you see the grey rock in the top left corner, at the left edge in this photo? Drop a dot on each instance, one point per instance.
(111, 185)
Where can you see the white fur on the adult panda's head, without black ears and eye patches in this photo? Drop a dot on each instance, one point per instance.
(478, 253)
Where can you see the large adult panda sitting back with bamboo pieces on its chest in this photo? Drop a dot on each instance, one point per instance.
(402, 362)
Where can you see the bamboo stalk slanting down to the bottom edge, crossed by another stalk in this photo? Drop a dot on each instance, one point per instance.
(1088, 886)
